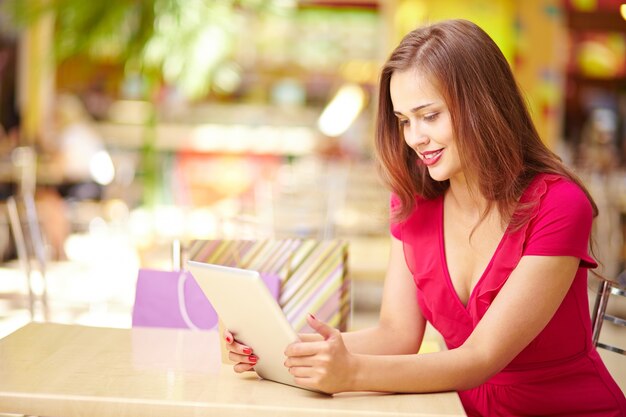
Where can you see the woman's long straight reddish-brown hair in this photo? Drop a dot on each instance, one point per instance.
(499, 146)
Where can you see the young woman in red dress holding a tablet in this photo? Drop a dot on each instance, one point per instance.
(490, 245)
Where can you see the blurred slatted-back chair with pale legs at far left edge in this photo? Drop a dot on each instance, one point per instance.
(30, 247)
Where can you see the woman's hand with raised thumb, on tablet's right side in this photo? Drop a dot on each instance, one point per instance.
(322, 363)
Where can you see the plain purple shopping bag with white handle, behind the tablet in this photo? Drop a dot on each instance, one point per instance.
(174, 299)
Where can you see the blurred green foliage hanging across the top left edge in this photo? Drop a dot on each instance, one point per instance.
(183, 41)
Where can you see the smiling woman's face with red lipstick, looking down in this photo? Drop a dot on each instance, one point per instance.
(425, 121)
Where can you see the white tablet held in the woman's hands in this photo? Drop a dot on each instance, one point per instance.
(248, 310)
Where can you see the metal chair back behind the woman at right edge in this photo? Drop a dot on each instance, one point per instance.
(608, 291)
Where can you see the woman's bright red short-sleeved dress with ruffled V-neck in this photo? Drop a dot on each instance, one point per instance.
(560, 372)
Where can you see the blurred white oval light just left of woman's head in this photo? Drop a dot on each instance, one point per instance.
(342, 110)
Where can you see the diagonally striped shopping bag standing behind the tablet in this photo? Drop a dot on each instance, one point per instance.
(313, 273)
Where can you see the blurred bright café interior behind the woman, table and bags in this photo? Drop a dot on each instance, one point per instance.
(138, 124)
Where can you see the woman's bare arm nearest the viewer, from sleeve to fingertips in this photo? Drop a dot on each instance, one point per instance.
(523, 307)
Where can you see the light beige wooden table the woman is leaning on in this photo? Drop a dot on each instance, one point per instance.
(69, 370)
